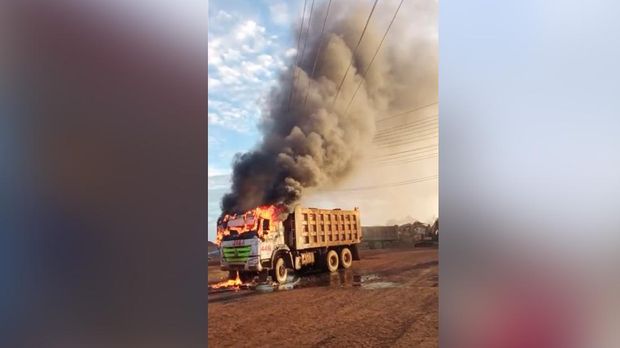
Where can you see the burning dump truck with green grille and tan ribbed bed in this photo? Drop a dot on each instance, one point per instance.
(269, 240)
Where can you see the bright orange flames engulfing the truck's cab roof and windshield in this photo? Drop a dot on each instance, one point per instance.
(248, 221)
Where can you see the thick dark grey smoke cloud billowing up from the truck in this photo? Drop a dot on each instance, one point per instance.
(310, 139)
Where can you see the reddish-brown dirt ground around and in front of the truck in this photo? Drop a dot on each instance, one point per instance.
(395, 305)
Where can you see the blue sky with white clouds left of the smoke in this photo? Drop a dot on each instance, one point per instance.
(250, 44)
